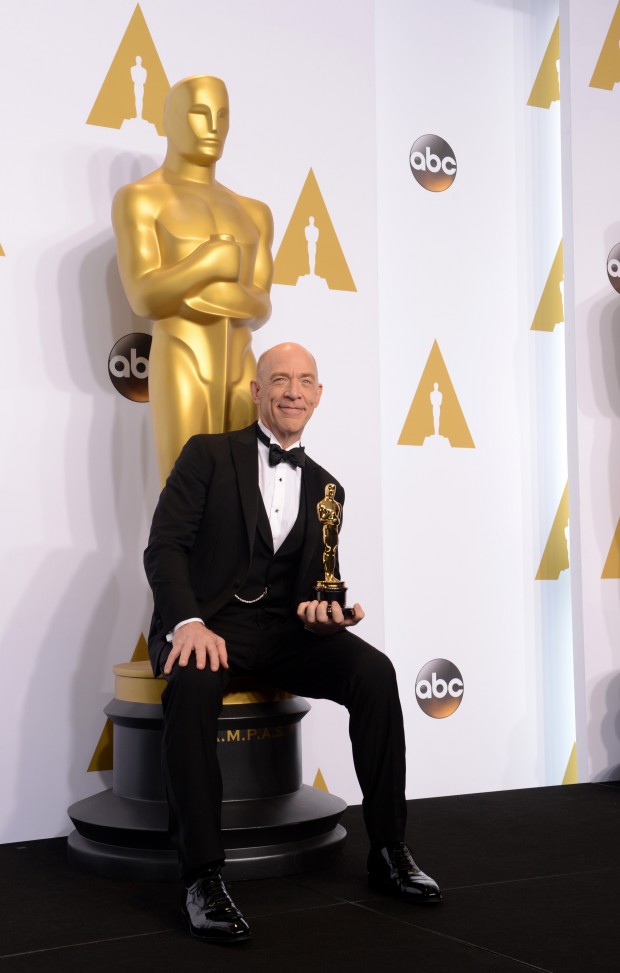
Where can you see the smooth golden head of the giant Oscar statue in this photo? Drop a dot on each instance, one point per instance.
(196, 119)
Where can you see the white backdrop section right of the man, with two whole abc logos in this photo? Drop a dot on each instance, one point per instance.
(465, 267)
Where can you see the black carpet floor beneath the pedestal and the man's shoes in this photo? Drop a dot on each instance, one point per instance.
(531, 881)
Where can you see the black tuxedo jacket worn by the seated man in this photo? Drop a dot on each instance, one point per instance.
(200, 546)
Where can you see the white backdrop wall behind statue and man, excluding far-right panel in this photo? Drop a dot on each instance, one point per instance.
(441, 547)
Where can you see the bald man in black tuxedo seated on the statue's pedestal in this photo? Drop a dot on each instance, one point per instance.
(234, 553)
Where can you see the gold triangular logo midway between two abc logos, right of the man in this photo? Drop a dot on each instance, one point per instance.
(435, 418)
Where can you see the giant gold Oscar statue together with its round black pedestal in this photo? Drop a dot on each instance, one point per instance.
(196, 257)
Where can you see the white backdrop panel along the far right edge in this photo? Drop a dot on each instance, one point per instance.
(591, 143)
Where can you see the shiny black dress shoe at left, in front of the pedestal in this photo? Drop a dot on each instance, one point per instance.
(211, 914)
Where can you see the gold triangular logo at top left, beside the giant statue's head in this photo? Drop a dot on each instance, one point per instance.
(135, 88)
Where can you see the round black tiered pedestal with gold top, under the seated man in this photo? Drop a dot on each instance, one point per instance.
(272, 823)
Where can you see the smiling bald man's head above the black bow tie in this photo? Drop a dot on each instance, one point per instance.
(286, 391)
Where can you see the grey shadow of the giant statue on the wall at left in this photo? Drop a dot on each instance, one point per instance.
(95, 597)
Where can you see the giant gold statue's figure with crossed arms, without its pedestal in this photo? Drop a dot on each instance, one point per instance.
(196, 258)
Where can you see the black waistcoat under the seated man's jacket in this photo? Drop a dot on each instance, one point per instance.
(276, 572)
